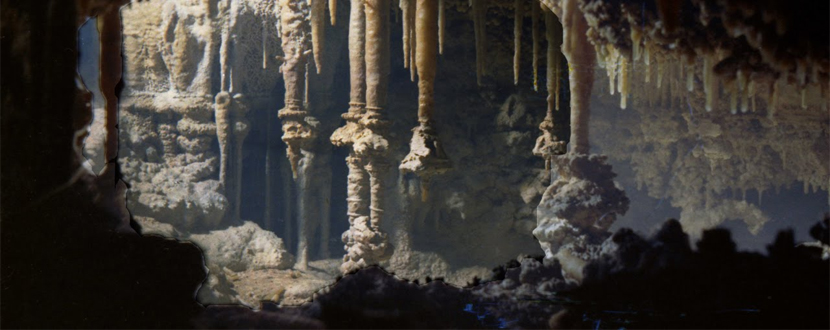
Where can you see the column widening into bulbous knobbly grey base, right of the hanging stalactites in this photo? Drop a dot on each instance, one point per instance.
(577, 209)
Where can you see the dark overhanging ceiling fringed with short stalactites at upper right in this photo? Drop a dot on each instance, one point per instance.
(743, 46)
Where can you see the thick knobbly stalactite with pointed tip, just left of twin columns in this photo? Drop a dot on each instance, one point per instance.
(295, 29)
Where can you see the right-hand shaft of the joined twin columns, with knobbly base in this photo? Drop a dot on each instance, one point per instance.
(369, 243)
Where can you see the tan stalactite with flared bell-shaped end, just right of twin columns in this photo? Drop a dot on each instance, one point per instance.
(426, 157)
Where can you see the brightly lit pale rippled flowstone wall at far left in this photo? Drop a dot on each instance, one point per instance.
(181, 129)
